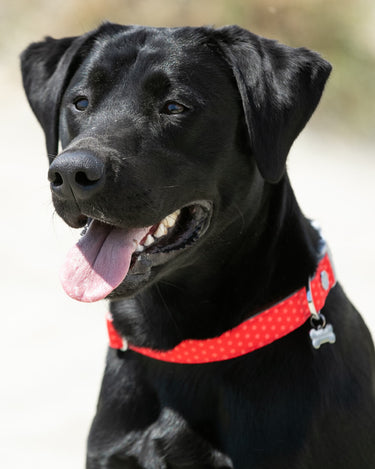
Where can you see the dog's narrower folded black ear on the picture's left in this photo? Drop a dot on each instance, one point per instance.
(47, 67)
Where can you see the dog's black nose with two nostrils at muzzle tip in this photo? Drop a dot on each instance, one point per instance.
(76, 175)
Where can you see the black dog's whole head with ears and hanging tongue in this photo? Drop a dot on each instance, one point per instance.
(163, 132)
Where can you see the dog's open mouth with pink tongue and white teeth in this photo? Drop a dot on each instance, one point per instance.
(106, 253)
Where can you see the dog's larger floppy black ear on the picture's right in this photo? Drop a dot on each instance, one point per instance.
(280, 88)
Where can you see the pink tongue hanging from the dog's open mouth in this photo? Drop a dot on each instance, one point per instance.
(99, 262)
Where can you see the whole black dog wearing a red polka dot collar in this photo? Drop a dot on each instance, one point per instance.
(174, 144)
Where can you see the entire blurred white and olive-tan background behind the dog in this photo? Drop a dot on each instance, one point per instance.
(52, 348)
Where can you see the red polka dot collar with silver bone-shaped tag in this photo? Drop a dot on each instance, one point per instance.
(255, 332)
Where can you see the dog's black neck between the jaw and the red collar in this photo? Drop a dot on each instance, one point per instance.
(270, 257)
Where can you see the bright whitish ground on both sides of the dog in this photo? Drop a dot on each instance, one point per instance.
(53, 349)
